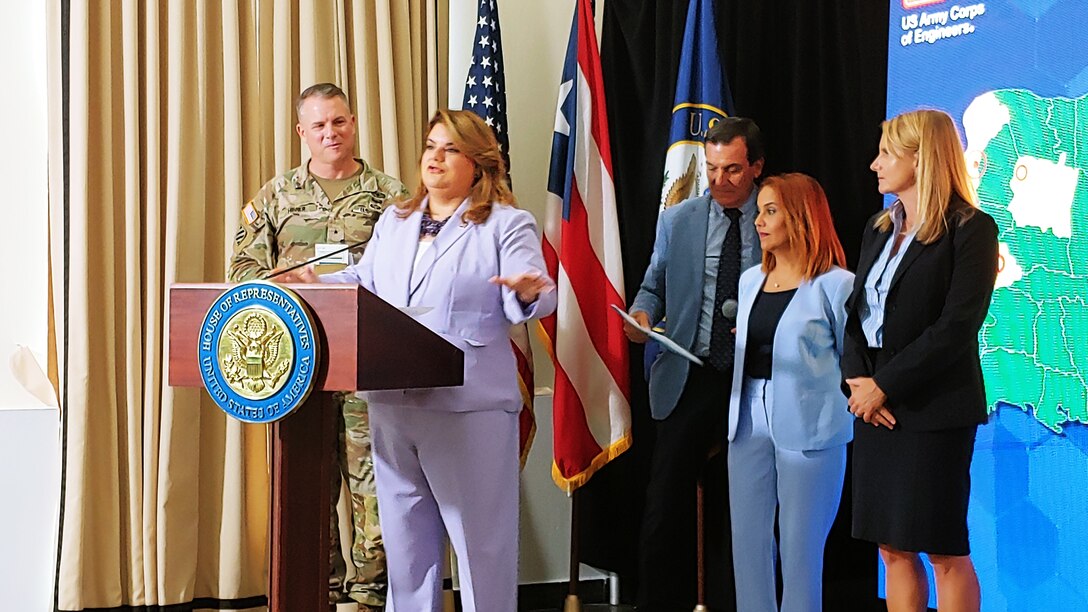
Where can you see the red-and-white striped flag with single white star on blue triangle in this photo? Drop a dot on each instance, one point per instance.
(592, 410)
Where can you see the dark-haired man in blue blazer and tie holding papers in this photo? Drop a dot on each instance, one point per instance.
(702, 246)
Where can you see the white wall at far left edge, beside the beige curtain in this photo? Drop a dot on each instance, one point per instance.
(30, 449)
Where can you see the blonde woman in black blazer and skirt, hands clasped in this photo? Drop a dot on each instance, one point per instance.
(911, 365)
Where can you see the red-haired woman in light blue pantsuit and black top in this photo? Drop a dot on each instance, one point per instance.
(788, 420)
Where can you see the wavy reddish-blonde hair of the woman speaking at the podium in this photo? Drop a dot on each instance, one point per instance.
(477, 141)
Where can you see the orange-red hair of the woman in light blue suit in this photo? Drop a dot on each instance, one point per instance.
(809, 226)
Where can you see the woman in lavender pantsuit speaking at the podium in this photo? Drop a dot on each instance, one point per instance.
(447, 460)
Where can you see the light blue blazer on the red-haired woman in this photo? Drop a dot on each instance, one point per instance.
(810, 412)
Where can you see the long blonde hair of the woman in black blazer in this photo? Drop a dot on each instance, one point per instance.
(942, 172)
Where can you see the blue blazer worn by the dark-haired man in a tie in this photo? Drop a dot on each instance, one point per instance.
(678, 259)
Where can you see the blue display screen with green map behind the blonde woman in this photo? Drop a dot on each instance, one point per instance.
(1015, 76)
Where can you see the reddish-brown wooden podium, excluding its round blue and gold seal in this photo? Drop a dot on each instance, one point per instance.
(366, 346)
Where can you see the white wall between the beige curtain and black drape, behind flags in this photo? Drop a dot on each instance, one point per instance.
(535, 40)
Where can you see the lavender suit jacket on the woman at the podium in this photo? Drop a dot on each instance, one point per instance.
(467, 310)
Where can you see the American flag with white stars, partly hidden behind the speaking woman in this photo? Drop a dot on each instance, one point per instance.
(486, 95)
